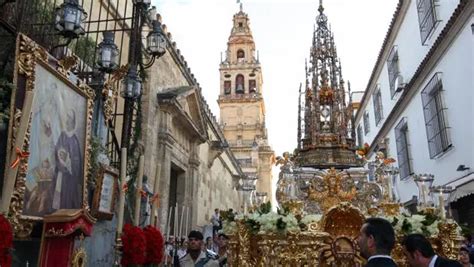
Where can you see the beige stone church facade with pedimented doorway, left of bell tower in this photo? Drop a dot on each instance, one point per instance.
(184, 142)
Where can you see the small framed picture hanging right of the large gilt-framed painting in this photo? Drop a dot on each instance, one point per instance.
(105, 193)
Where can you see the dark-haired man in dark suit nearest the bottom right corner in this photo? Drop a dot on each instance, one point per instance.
(420, 253)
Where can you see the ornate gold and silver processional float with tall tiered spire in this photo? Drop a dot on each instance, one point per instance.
(324, 191)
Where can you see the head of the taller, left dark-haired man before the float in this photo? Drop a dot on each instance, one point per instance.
(376, 237)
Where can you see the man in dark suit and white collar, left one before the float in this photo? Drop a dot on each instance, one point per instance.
(376, 241)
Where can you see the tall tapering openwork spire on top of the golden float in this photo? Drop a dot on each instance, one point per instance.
(325, 134)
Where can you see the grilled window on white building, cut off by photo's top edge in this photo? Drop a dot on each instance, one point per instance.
(426, 18)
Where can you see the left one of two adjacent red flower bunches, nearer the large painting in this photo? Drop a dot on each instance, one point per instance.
(134, 245)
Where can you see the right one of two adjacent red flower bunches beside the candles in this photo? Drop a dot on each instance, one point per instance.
(154, 245)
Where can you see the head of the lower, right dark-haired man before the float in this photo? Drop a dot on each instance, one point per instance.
(418, 250)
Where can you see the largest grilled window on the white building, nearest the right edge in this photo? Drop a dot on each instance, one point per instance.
(435, 117)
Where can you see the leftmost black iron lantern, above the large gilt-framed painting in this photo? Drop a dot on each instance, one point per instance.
(69, 18)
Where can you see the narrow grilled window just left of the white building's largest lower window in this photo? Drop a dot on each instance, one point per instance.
(401, 136)
